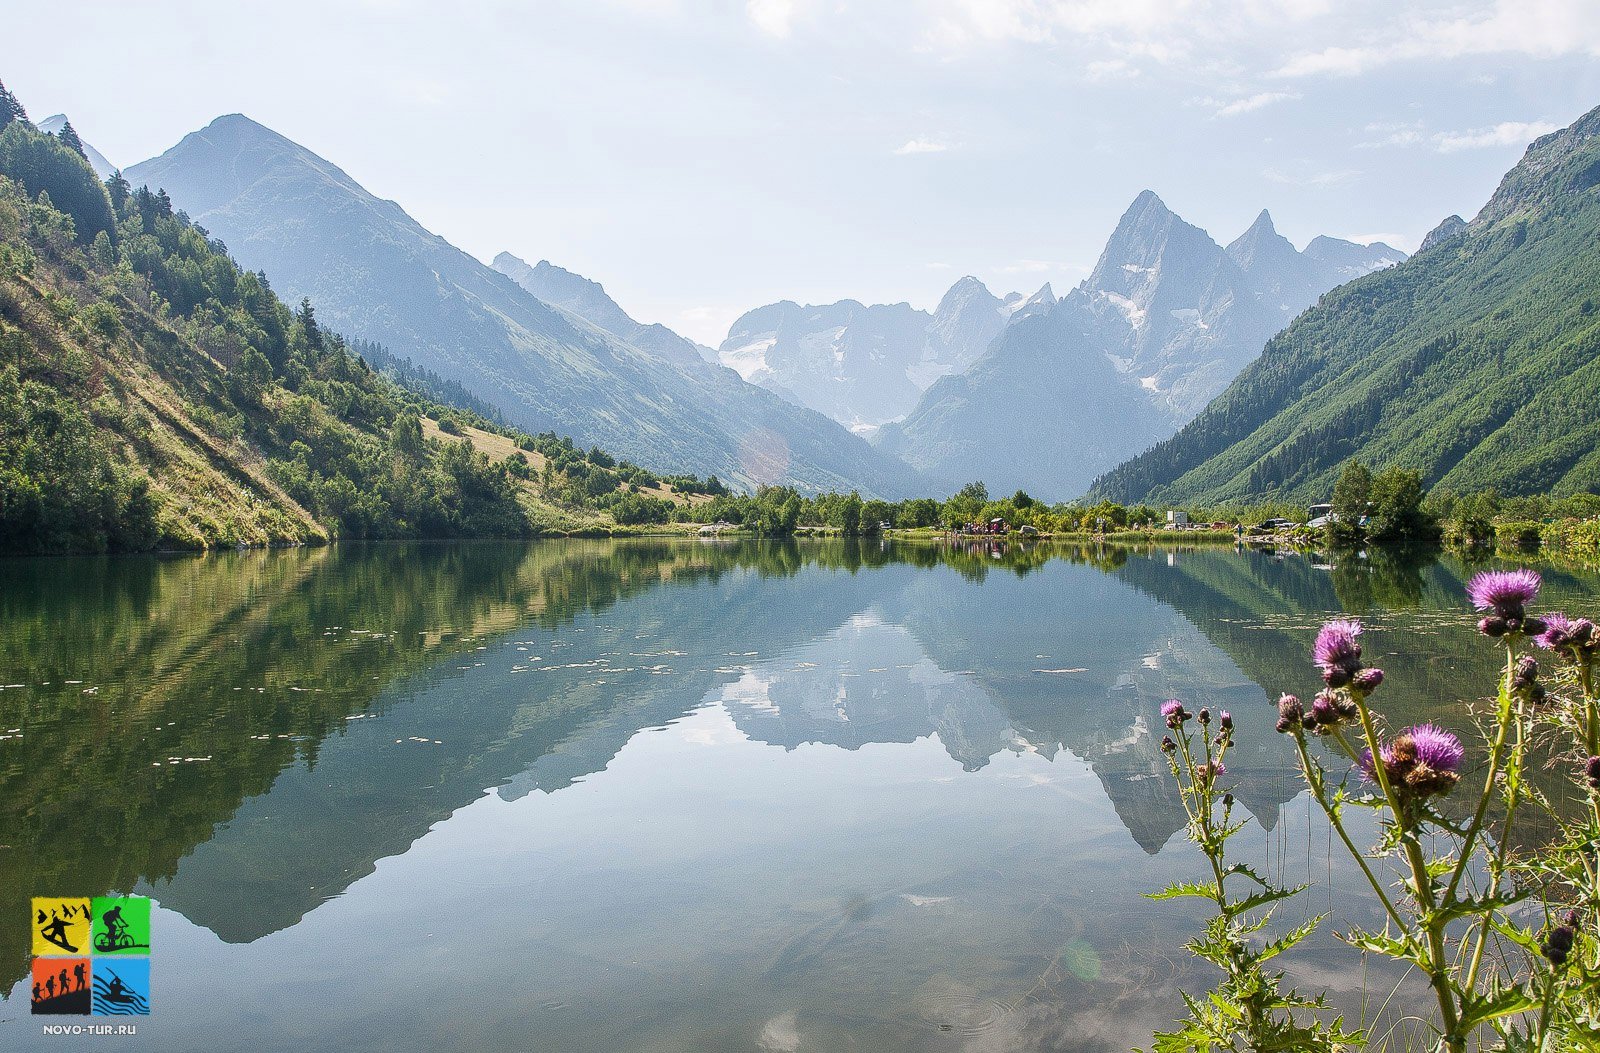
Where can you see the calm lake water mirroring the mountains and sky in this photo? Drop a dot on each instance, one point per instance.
(674, 796)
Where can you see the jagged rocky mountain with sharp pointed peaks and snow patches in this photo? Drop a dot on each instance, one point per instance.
(1167, 319)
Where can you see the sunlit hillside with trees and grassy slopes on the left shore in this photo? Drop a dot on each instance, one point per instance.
(153, 396)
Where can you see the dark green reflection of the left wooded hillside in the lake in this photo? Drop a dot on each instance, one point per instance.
(249, 662)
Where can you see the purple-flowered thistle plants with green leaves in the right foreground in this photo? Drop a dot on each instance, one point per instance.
(1508, 940)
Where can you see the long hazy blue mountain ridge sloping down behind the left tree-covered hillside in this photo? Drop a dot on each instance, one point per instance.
(377, 274)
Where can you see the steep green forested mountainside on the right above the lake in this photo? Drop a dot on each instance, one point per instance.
(1476, 362)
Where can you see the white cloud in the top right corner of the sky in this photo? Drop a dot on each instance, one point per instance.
(1534, 28)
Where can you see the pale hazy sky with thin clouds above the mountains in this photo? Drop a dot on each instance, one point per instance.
(703, 158)
